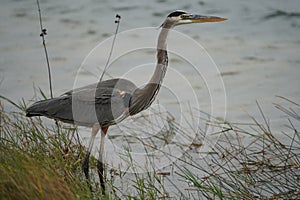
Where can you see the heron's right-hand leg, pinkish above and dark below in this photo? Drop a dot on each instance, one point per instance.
(100, 165)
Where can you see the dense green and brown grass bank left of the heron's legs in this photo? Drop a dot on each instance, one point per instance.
(38, 162)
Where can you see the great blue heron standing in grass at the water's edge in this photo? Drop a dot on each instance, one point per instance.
(115, 99)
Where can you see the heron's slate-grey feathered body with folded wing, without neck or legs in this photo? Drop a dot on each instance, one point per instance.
(76, 106)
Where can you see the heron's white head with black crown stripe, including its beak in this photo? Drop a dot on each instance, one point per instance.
(180, 17)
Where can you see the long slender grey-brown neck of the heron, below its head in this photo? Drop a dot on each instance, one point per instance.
(142, 98)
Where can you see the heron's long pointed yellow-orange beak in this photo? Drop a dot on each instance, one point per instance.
(190, 18)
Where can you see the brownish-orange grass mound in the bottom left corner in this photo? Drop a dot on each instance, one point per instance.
(25, 177)
